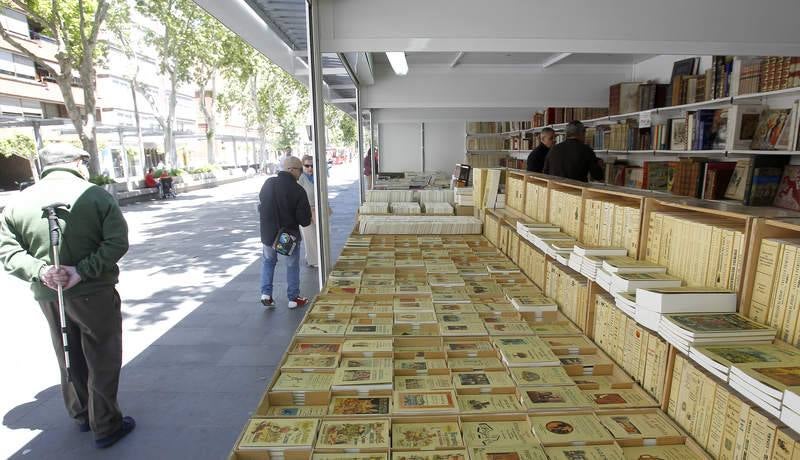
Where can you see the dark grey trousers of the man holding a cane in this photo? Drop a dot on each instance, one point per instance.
(94, 335)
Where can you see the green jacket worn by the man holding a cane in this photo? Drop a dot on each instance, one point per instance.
(95, 234)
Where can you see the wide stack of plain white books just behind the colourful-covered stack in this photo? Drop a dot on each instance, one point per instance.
(652, 303)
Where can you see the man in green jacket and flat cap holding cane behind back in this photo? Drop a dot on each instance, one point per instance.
(94, 238)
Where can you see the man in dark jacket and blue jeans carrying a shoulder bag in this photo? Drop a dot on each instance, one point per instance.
(283, 204)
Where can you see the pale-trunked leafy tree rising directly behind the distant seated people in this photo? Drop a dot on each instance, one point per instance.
(179, 19)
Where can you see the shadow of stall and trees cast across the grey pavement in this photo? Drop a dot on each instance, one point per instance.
(192, 390)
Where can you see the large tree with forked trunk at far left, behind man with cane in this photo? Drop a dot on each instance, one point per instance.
(75, 26)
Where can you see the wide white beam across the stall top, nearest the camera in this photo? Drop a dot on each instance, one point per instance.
(674, 27)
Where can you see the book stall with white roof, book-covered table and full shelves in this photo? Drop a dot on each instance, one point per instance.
(481, 311)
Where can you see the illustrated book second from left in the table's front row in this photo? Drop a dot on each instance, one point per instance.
(352, 434)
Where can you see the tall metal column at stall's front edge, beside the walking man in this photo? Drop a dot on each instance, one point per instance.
(318, 138)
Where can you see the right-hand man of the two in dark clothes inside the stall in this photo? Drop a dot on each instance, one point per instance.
(572, 158)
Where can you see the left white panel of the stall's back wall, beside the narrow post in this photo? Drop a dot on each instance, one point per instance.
(400, 147)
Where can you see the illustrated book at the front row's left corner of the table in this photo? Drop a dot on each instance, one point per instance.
(278, 434)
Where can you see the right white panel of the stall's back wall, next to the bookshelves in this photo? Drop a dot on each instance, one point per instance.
(444, 145)
